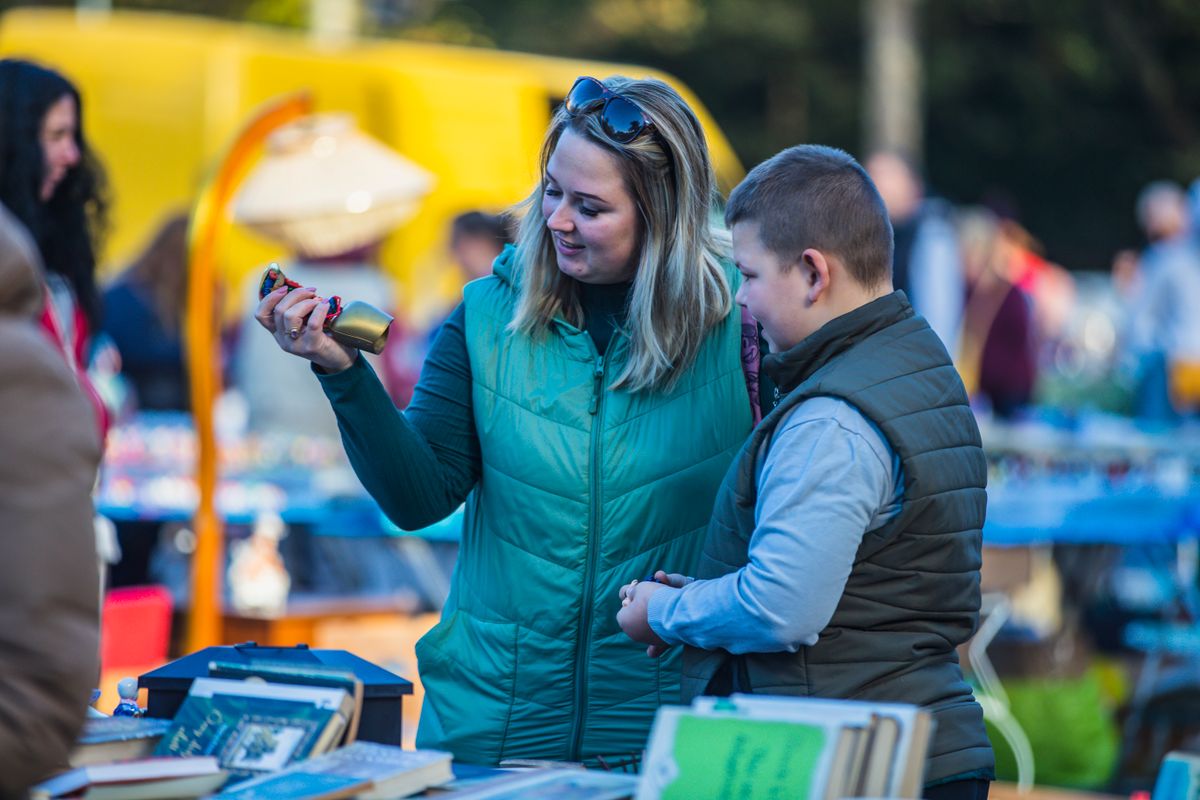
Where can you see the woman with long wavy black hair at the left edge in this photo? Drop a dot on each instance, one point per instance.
(51, 183)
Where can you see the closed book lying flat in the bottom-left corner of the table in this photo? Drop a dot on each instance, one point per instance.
(146, 779)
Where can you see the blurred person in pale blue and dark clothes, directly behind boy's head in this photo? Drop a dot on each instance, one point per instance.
(926, 266)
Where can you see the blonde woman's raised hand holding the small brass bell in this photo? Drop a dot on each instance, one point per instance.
(284, 315)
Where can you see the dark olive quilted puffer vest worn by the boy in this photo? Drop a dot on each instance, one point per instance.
(914, 593)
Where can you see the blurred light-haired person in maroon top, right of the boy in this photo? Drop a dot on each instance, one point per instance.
(998, 359)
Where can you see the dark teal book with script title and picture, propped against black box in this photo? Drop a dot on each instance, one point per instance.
(255, 727)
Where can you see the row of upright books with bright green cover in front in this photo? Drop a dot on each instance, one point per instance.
(759, 747)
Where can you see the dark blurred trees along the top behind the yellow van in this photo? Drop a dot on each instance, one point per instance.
(1055, 113)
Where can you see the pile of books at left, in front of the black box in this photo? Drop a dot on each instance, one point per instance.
(248, 731)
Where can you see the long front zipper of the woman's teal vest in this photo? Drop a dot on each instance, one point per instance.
(590, 567)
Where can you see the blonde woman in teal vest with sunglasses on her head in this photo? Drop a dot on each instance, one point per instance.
(589, 398)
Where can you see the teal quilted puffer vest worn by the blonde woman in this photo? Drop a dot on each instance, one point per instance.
(583, 490)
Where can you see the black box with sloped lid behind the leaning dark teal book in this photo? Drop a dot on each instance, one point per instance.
(383, 691)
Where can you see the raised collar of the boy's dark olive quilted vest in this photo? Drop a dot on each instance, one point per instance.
(793, 368)
